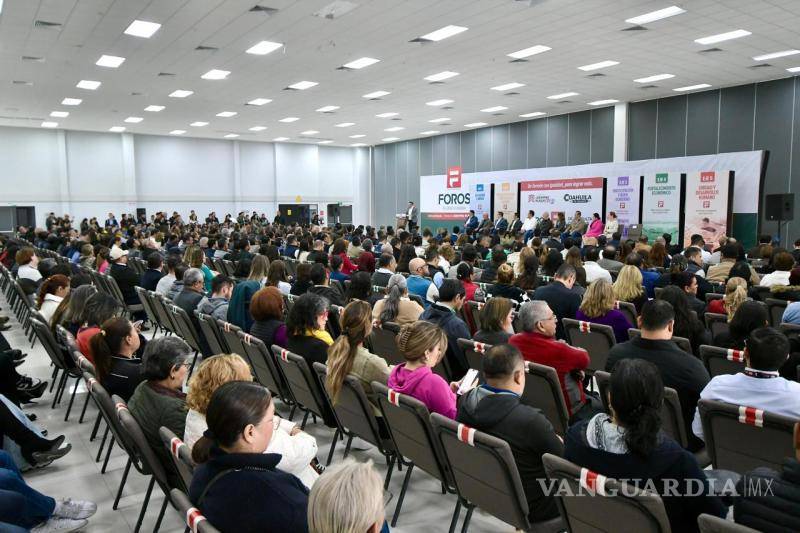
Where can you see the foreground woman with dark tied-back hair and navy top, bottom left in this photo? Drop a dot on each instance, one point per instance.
(237, 486)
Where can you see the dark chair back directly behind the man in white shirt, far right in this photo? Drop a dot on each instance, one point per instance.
(741, 438)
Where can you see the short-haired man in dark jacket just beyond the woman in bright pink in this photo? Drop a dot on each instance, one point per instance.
(444, 313)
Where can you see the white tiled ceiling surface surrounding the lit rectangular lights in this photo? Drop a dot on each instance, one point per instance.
(579, 32)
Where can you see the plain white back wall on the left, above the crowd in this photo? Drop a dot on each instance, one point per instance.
(89, 174)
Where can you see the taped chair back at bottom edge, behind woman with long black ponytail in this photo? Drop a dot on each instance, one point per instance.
(591, 502)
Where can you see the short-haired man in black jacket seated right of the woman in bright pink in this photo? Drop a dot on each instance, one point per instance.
(496, 408)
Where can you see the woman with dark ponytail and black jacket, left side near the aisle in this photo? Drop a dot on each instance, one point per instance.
(114, 348)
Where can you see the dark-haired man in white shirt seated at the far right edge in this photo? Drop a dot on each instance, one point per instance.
(760, 385)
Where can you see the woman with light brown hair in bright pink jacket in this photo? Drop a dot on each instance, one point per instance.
(423, 345)
